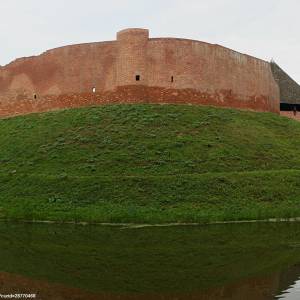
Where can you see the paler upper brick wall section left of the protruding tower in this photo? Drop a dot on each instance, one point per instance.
(71, 69)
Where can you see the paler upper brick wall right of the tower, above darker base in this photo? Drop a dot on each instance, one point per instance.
(209, 68)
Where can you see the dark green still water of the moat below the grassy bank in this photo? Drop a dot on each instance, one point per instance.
(244, 261)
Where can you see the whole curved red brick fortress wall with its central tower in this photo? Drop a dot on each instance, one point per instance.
(135, 69)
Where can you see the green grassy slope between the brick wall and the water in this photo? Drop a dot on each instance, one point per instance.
(149, 163)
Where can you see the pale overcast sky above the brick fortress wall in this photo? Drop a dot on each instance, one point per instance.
(262, 28)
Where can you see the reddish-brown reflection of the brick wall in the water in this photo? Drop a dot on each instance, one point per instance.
(251, 289)
